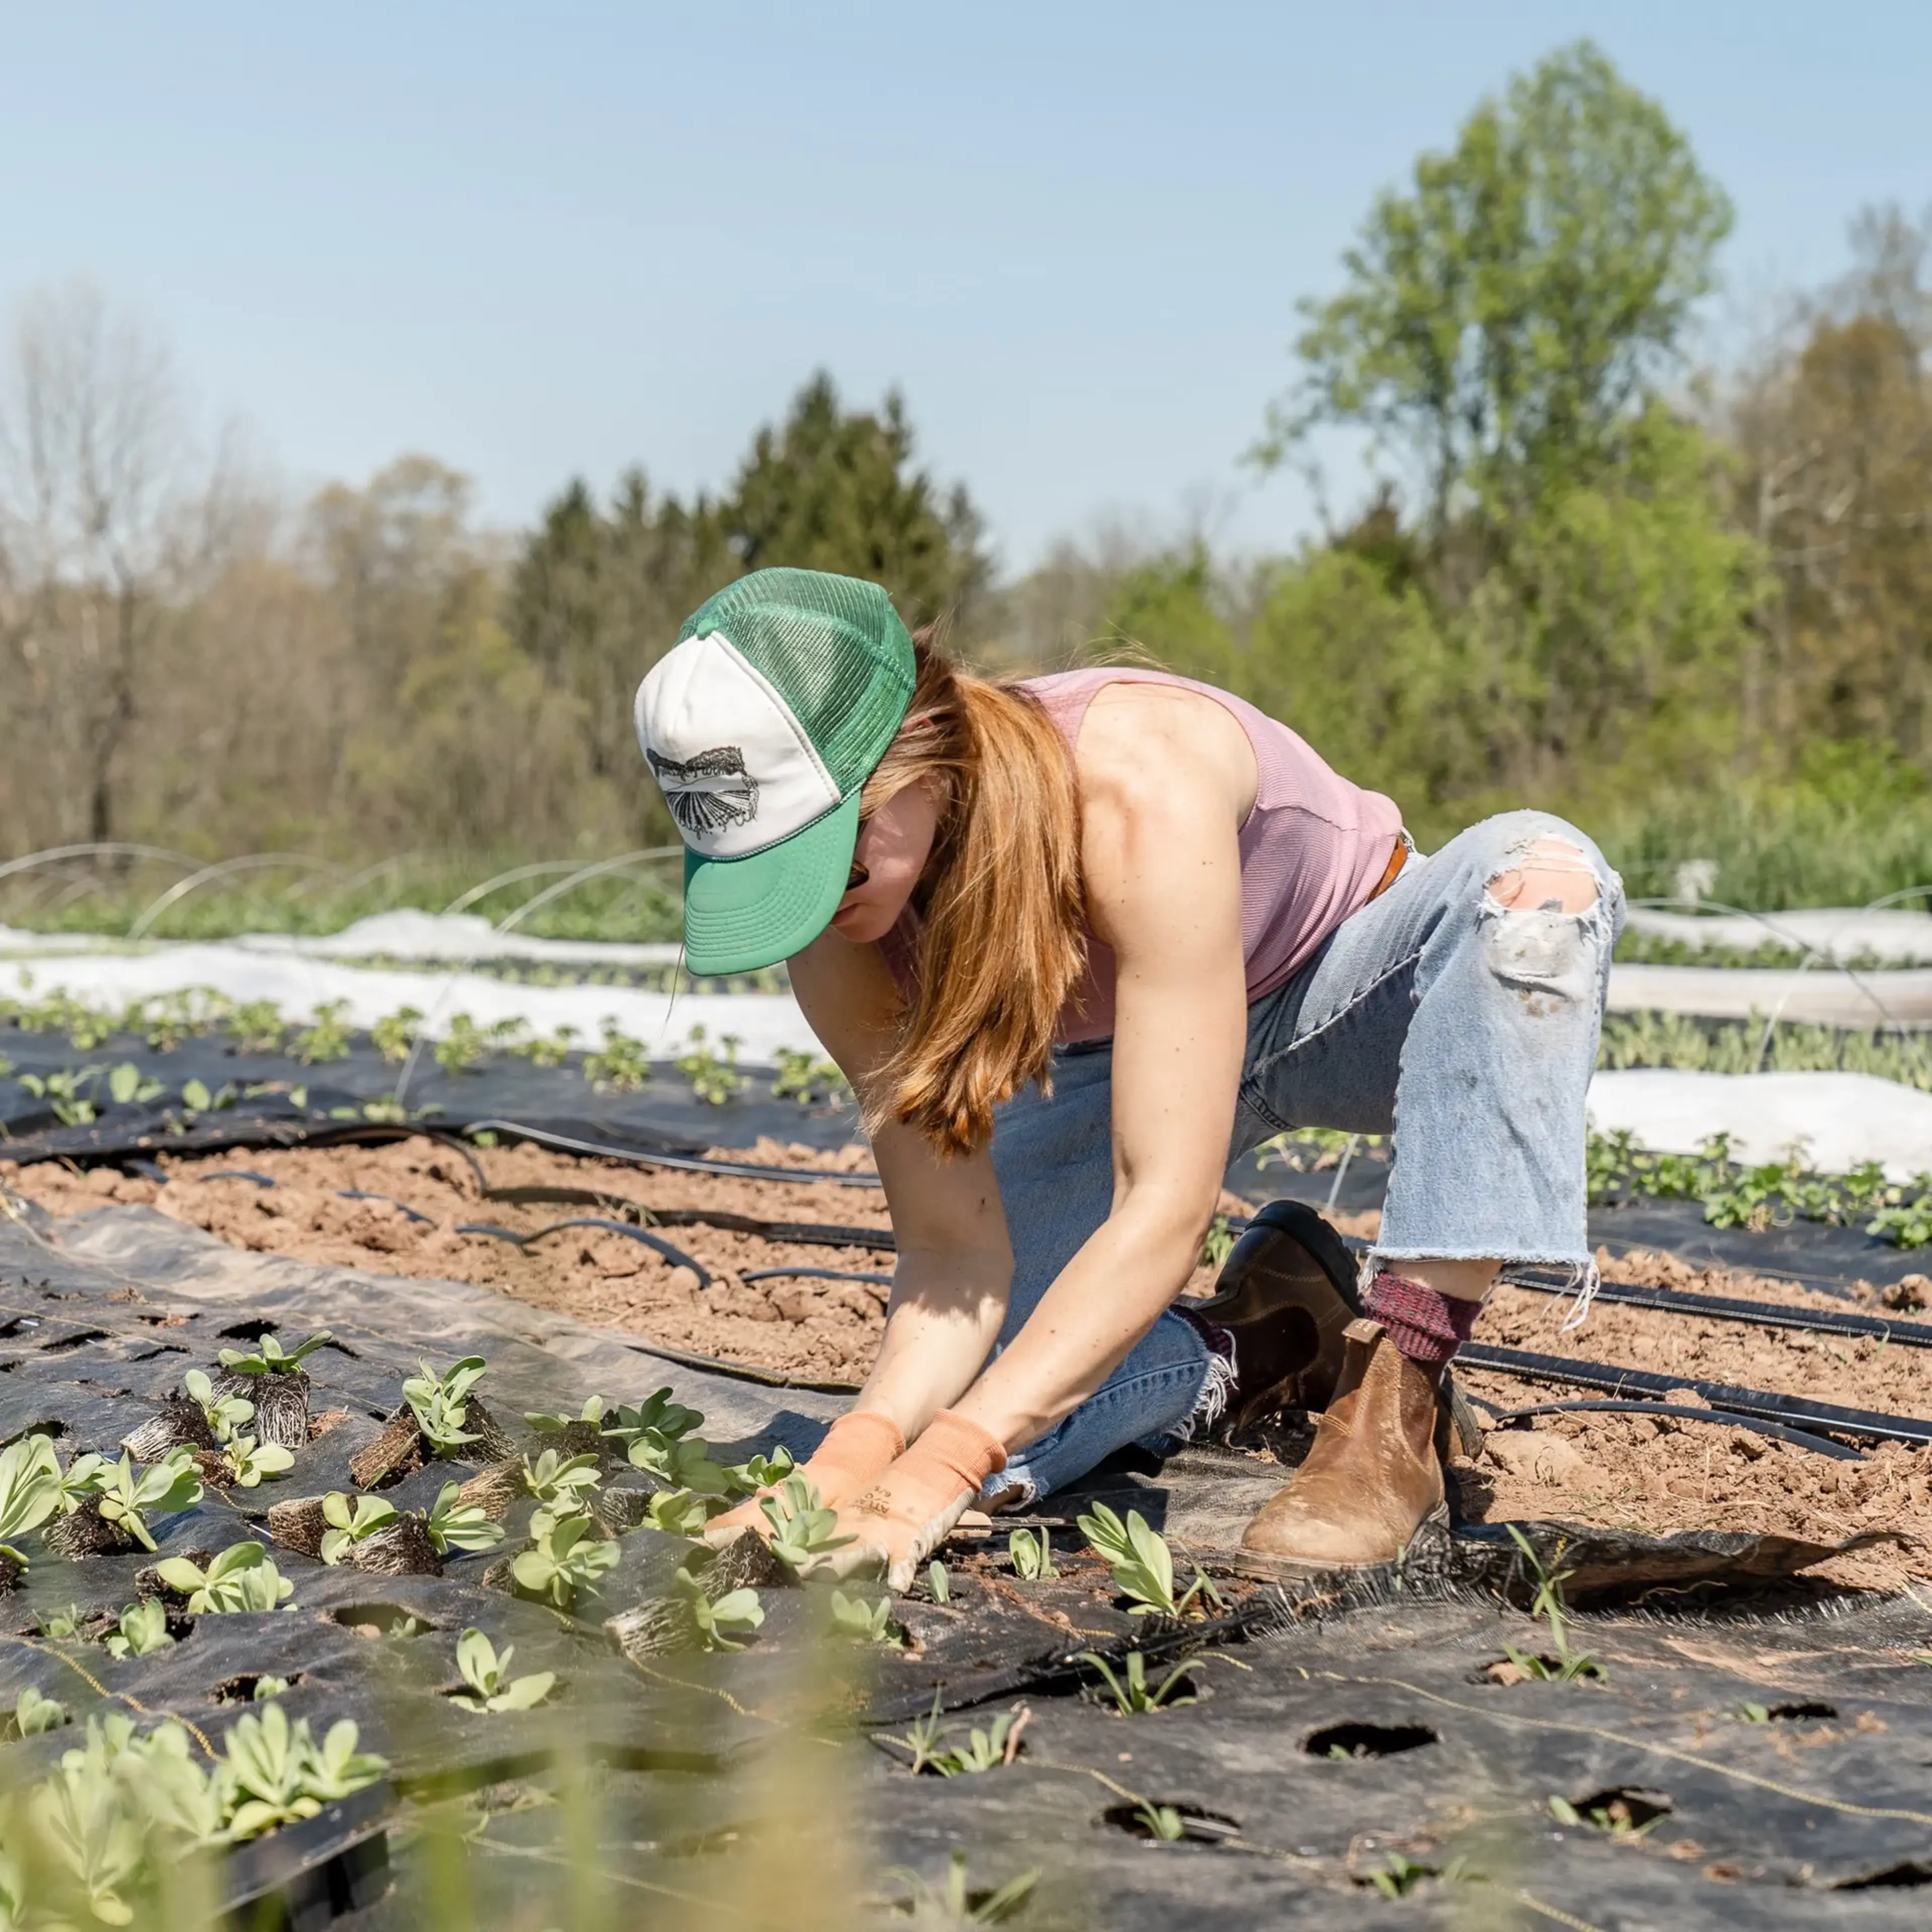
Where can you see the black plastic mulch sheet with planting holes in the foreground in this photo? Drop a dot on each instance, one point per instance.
(1755, 1749)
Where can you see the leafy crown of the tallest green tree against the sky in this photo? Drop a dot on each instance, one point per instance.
(1504, 318)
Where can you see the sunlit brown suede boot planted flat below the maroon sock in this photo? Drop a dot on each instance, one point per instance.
(1373, 1477)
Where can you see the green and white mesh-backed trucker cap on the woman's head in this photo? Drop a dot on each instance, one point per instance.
(762, 724)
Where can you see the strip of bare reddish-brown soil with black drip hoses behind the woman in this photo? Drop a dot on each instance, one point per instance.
(1614, 1471)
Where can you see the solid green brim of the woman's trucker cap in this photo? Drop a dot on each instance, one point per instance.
(749, 913)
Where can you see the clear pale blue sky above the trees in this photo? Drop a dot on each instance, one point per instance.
(550, 242)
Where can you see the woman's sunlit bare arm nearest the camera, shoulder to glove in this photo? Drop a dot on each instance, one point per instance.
(1164, 890)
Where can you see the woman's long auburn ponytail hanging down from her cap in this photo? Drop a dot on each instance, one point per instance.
(1004, 938)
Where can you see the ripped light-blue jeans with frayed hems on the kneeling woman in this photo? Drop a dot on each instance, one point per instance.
(1463, 1029)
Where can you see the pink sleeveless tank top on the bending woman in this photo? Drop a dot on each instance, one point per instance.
(1313, 851)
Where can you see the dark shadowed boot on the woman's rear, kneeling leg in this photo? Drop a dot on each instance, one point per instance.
(1286, 1297)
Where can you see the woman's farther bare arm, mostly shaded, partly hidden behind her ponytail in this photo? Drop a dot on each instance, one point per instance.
(955, 1263)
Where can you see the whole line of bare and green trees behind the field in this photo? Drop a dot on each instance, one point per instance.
(1690, 606)
